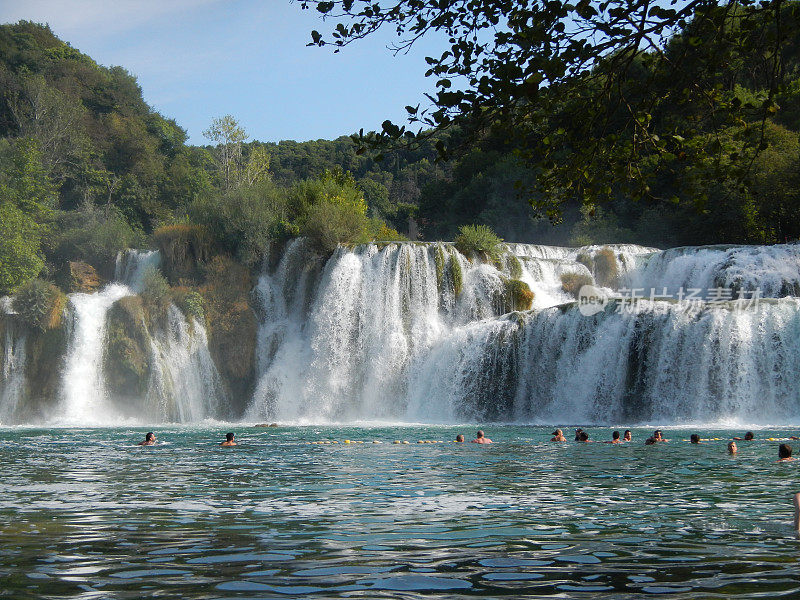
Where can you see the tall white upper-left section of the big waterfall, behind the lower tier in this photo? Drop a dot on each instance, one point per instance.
(344, 348)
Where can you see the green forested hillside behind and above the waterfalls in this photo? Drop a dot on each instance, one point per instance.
(87, 168)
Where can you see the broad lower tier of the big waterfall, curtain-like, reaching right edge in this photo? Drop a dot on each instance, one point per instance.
(655, 362)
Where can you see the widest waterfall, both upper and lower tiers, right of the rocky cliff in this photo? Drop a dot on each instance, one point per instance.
(384, 335)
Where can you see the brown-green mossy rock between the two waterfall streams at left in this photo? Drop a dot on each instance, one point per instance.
(127, 360)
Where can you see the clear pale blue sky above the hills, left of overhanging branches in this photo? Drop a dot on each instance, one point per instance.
(200, 59)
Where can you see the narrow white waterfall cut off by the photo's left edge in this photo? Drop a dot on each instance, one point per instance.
(12, 363)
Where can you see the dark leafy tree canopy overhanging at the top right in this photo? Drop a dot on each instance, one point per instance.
(598, 96)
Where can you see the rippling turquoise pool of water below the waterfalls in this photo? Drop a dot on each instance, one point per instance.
(86, 513)
